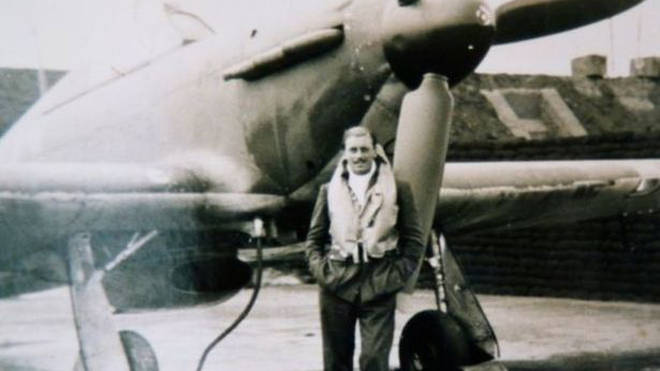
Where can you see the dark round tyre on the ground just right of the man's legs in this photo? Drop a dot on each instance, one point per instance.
(431, 341)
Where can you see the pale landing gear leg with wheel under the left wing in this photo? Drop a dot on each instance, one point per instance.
(102, 347)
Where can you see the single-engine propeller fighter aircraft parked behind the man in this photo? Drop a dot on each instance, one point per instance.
(144, 179)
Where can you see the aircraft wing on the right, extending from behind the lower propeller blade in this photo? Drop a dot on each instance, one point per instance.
(495, 195)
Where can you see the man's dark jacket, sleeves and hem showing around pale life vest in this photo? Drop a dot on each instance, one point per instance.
(352, 281)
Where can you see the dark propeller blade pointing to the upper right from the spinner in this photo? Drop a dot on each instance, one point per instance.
(525, 19)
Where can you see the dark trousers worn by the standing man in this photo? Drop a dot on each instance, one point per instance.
(338, 319)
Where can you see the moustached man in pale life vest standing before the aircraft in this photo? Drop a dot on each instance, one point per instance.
(364, 243)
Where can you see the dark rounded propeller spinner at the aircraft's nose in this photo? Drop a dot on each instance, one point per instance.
(448, 37)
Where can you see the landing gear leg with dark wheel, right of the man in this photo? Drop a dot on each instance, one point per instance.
(454, 335)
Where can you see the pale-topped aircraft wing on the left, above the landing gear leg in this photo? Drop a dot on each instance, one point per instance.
(73, 197)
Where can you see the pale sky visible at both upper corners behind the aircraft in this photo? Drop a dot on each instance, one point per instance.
(49, 33)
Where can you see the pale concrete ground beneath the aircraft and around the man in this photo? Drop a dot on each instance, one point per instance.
(282, 332)
